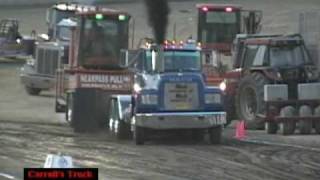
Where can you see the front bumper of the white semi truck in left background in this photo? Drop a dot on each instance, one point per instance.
(30, 79)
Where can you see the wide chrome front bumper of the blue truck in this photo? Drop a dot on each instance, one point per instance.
(180, 120)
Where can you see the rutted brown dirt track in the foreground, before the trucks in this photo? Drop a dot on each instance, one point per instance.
(27, 144)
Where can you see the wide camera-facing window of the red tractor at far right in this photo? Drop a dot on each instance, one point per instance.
(289, 56)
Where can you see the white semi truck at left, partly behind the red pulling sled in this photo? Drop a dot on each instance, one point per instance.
(51, 51)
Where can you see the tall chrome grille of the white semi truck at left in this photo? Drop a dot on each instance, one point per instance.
(47, 61)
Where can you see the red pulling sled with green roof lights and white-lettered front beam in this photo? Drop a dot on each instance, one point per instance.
(95, 71)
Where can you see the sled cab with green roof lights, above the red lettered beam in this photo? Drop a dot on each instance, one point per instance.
(99, 38)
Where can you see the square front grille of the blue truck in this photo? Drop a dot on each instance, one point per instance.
(181, 96)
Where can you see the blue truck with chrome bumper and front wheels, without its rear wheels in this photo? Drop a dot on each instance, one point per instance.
(171, 94)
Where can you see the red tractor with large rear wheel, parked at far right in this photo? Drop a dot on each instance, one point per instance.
(275, 83)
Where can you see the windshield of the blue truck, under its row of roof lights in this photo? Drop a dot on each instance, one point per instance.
(182, 61)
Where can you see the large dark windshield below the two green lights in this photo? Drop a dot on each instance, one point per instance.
(101, 41)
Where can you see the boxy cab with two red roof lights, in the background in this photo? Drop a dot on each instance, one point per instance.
(218, 25)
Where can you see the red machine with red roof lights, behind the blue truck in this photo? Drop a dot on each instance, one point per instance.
(218, 25)
